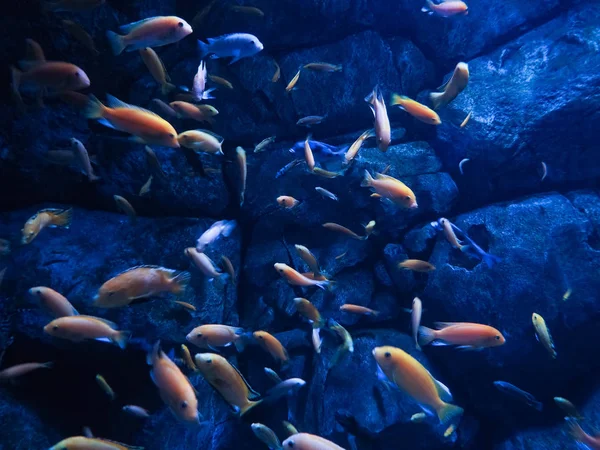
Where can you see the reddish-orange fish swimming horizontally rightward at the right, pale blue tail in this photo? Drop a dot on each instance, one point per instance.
(468, 336)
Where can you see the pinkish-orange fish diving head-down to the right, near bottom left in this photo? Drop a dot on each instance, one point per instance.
(174, 388)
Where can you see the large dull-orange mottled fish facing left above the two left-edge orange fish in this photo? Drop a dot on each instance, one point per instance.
(138, 283)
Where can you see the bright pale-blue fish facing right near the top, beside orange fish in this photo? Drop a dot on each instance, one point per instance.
(236, 46)
